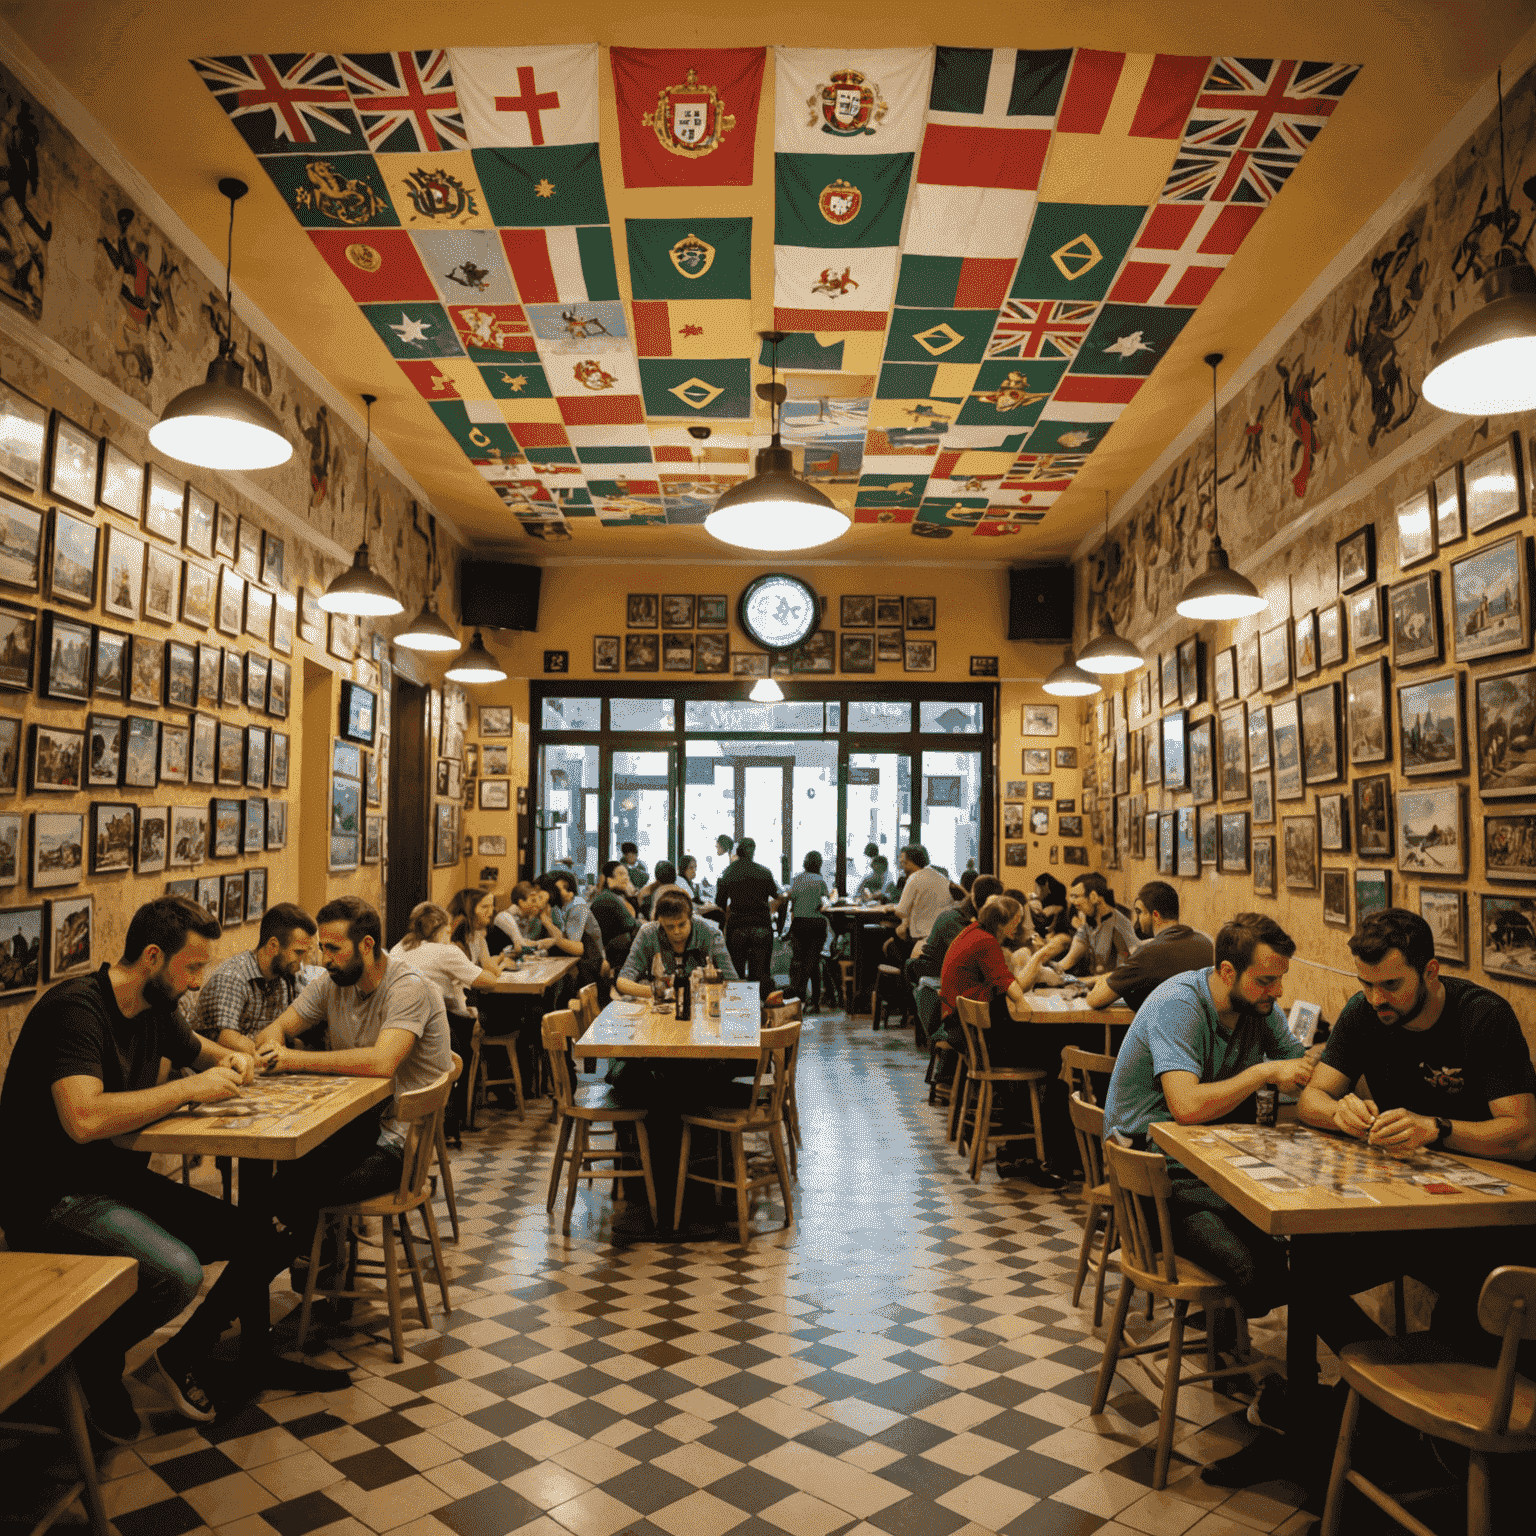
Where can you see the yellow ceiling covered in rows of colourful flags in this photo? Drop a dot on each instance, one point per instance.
(996, 268)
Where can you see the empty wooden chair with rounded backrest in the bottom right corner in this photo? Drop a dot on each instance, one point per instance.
(1489, 1409)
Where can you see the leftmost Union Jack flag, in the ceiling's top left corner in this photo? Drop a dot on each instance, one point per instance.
(303, 94)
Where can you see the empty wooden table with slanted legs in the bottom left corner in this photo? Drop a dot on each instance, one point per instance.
(55, 1302)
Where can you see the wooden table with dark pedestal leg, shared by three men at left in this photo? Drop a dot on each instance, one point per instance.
(274, 1121)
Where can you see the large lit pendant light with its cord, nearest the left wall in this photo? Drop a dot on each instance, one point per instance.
(220, 425)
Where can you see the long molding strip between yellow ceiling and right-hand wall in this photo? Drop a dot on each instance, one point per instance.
(1437, 156)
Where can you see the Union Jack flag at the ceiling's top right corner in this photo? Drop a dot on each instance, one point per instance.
(1251, 127)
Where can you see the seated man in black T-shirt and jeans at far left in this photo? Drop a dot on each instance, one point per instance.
(87, 1068)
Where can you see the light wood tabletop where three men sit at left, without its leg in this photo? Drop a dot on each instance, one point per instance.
(276, 1119)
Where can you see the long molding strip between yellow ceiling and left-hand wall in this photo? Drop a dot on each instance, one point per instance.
(47, 87)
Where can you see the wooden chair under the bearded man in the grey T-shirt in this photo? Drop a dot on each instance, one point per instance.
(420, 1114)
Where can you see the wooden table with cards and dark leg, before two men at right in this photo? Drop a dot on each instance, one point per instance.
(1308, 1213)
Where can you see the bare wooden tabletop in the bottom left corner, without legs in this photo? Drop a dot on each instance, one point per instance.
(55, 1302)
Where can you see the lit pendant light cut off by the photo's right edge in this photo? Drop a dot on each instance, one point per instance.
(1488, 365)
